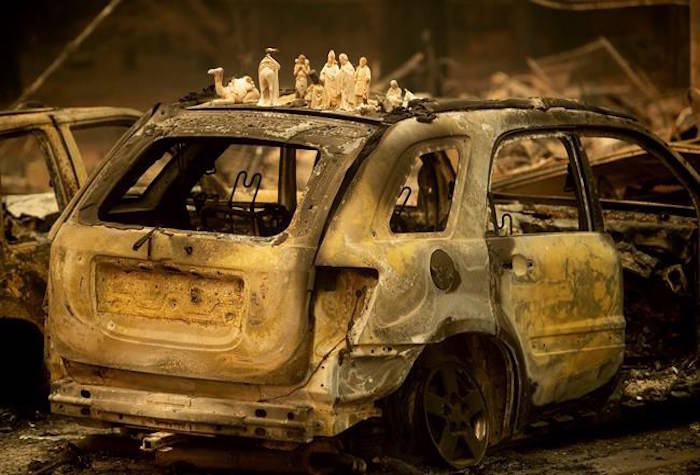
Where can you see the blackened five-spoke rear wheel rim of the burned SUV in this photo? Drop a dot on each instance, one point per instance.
(455, 416)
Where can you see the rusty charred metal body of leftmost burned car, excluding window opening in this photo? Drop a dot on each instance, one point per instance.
(24, 247)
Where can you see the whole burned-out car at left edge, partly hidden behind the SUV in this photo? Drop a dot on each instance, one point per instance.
(45, 156)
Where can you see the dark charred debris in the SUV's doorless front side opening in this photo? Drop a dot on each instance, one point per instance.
(657, 255)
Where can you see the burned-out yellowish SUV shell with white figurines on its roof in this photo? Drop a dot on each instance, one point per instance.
(289, 274)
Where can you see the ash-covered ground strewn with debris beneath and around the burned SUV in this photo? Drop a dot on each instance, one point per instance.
(651, 427)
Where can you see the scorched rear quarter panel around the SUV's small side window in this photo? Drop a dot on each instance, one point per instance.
(407, 307)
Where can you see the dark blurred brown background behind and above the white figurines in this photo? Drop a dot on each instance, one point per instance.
(157, 50)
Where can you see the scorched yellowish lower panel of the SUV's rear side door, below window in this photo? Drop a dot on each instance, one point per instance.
(562, 295)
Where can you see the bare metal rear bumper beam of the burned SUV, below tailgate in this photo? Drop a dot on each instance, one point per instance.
(182, 413)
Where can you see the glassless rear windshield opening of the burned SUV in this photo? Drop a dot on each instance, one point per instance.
(213, 184)
